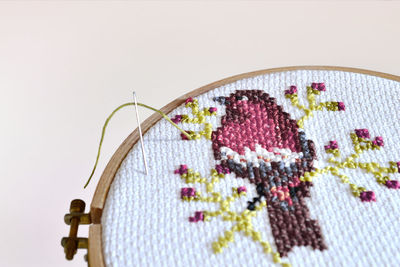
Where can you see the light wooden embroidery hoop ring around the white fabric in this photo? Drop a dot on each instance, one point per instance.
(95, 251)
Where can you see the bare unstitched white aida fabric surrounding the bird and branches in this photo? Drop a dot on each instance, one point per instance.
(145, 222)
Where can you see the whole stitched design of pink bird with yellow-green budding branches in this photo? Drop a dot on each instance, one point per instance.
(259, 141)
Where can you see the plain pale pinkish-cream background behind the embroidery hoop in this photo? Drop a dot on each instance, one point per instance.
(64, 66)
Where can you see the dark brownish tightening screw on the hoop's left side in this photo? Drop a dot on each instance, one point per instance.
(74, 219)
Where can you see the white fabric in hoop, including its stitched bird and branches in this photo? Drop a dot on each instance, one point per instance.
(311, 209)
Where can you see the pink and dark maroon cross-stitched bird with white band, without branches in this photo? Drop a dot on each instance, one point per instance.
(257, 140)
